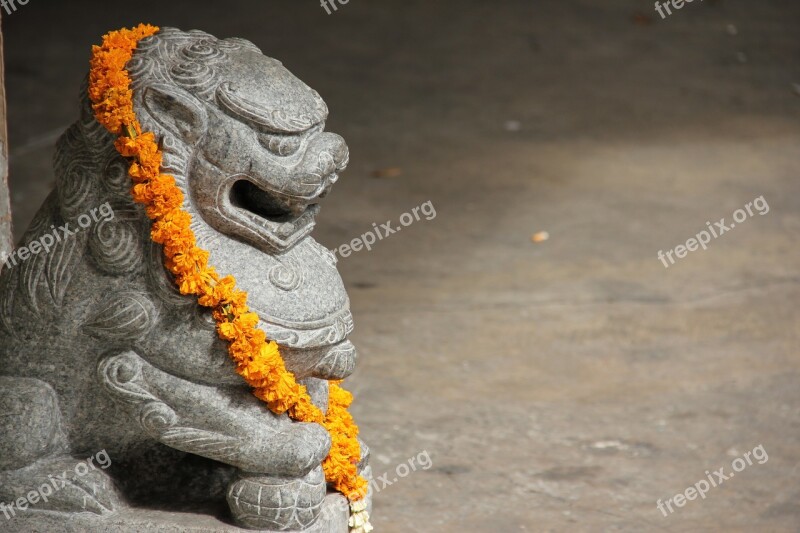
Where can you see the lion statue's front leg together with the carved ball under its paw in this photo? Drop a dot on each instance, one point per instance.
(280, 485)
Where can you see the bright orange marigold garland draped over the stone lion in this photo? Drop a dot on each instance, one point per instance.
(257, 360)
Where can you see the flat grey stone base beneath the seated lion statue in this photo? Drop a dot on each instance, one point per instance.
(334, 517)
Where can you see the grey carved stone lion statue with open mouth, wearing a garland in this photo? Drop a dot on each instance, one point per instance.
(98, 350)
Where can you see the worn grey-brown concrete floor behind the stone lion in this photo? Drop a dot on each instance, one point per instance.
(560, 386)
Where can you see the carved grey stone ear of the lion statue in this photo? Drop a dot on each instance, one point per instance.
(177, 111)
